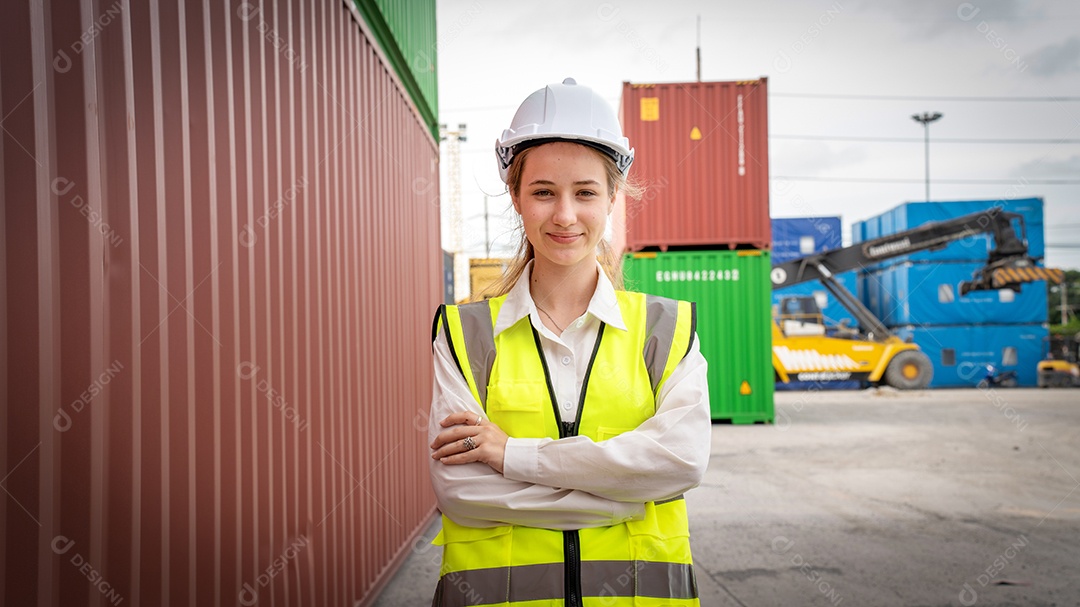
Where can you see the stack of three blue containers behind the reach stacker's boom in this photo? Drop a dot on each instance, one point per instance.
(919, 295)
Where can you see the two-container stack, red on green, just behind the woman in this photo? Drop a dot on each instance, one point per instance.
(701, 232)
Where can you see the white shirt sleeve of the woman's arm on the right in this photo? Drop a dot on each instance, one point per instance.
(663, 458)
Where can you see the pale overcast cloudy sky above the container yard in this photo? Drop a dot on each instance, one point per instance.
(845, 77)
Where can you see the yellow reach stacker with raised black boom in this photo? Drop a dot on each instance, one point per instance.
(801, 349)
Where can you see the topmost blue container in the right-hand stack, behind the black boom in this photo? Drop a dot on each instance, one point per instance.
(973, 249)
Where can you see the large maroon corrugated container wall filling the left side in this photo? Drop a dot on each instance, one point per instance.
(215, 386)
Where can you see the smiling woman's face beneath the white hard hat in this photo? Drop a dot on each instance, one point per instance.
(564, 203)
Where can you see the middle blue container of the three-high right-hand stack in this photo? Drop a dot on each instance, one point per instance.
(929, 294)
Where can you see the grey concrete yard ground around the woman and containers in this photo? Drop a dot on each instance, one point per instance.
(877, 497)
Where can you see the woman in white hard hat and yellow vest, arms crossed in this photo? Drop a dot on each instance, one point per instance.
(569, 417)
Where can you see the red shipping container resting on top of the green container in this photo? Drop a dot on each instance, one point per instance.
(703, 151)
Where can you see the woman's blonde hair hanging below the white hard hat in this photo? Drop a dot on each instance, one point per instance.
(609, 258)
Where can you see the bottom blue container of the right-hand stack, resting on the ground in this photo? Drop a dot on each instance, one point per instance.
(961, 354)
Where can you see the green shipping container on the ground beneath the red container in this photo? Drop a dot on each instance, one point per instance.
(732, 290)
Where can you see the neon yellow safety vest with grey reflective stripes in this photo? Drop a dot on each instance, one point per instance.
(640, 563)
